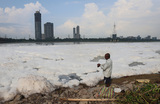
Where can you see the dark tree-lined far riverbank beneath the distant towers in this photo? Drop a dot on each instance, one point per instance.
(10, 40)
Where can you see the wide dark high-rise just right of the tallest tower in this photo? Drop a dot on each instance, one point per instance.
(48, 30)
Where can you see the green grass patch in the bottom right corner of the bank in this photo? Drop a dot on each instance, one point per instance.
(141, 94)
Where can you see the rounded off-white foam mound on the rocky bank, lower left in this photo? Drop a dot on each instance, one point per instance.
(34, 84)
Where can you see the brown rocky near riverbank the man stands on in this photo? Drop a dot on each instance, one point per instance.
(82, 91)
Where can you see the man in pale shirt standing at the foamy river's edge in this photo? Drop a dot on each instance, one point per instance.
(107, 69)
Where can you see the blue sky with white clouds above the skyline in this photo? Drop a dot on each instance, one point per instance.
(95, 17)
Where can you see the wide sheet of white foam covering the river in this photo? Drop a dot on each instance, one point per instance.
(32, 68)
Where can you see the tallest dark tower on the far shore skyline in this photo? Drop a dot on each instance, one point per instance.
(38, 32)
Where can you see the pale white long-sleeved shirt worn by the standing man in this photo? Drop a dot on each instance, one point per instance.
(107, 68)
